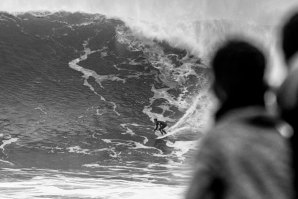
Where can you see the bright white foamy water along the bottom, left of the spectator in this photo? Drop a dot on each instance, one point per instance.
(53, 184)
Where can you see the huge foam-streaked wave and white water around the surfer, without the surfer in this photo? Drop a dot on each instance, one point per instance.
(78, 95)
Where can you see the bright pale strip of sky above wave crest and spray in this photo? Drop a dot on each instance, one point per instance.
(259, 10)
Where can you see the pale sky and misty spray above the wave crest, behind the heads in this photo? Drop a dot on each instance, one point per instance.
(192, 24)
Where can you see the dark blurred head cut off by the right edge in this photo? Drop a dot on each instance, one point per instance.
(290, 37)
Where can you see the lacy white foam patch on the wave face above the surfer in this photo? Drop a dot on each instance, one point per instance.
(170, 75)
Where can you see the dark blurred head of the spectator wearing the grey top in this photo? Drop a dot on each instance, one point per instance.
(239, 68)
